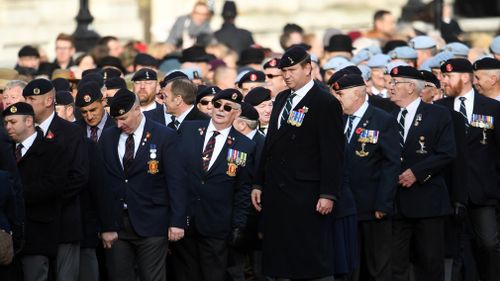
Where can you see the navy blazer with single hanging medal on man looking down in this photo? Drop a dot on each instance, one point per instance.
(155, 200)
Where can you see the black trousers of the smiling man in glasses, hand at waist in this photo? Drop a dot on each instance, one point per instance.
(427, 234)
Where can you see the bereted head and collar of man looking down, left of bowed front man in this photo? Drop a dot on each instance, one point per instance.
(95, 119)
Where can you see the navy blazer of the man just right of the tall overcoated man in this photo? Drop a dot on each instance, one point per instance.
(374, 177)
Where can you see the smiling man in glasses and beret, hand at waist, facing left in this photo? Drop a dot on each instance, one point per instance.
(422, 200)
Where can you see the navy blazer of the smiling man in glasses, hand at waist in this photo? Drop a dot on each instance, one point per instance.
(428, 196)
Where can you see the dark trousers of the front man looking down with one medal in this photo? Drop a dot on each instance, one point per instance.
(132, 251)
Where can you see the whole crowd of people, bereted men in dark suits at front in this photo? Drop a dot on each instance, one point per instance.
(368, 156)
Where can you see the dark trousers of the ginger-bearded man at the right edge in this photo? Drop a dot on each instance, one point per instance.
(486, 247)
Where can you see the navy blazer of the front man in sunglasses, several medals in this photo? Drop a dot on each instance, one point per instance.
(218, 202)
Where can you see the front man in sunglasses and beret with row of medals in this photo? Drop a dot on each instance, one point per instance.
(226, 158)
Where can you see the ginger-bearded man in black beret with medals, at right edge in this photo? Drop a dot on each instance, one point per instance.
(483, 139)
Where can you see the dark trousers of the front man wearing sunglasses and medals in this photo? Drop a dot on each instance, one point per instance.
(200, 258)
